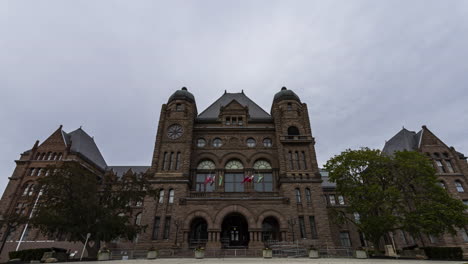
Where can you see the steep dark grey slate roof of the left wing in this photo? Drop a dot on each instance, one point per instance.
(82, 143)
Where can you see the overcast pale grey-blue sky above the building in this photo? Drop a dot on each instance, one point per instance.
(365, 68)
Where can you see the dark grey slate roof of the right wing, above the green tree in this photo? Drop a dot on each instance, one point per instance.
(403, 140)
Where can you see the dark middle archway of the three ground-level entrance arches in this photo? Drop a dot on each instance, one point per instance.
(234, 231)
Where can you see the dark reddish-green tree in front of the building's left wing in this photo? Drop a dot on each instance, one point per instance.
(75, 201)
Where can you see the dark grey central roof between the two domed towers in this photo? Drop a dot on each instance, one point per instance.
(255, 111)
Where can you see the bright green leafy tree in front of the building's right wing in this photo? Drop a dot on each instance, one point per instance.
(398, 192)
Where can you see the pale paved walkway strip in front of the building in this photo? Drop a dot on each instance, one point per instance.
(276, 260)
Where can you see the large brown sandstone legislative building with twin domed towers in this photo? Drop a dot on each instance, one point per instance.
(231, 176)
